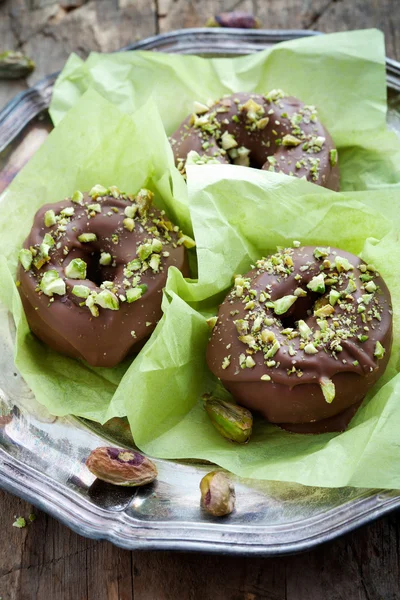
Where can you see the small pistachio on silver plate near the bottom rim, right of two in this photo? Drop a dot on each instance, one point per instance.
(218, 495)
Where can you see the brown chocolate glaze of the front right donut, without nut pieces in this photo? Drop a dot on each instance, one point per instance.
(297, 398)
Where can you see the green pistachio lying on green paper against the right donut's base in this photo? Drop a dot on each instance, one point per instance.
(233, 422)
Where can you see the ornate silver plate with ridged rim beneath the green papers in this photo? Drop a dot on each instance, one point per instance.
(42, 457)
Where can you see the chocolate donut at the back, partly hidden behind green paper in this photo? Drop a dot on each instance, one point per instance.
(275, 132)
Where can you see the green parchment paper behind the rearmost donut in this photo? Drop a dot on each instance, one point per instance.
(342, 74)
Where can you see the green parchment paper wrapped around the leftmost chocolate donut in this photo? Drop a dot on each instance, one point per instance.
(96, 143)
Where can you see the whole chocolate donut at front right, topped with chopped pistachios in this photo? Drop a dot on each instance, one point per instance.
(303, 336)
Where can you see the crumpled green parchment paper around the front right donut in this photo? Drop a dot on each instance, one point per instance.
(239, 215)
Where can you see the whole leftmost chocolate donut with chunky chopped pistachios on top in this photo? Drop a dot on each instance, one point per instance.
(92, 272)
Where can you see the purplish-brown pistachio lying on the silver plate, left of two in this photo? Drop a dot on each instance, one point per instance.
(121, 467)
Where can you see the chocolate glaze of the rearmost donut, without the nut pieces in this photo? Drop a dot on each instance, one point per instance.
(262, 143)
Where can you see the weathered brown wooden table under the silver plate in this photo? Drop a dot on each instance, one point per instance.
(46, 561)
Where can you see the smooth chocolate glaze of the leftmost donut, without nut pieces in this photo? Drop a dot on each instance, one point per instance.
(61, 322)
